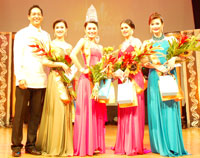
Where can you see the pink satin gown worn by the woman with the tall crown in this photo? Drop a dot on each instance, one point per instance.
(89, 126)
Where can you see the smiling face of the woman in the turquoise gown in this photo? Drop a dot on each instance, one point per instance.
(156, 26)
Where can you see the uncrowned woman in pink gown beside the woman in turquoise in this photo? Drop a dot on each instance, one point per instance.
(131, 120)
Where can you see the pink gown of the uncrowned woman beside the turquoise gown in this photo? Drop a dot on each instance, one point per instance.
(131, 121)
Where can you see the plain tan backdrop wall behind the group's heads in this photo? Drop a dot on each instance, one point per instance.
(177, 14)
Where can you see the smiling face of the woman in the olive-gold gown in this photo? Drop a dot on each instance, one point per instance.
(60, 30)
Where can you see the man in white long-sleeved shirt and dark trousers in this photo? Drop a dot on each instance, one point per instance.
(31, 82)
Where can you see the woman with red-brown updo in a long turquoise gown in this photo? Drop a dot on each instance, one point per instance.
(164, 117)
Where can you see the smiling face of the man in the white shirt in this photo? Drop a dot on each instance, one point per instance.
(35, 17)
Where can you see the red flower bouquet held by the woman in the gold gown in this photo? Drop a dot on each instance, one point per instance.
(55, 54)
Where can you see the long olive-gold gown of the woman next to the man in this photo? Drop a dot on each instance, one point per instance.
(55, 137)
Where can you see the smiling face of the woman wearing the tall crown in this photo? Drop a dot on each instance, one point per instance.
(91, 30)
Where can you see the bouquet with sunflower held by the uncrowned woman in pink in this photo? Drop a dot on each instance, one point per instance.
(130, 63)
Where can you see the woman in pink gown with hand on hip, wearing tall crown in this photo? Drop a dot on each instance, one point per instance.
(89, 118)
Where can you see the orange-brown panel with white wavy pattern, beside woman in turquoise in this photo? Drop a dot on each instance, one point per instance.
(191, 78)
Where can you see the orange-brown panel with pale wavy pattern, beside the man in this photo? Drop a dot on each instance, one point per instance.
(5, 77)
